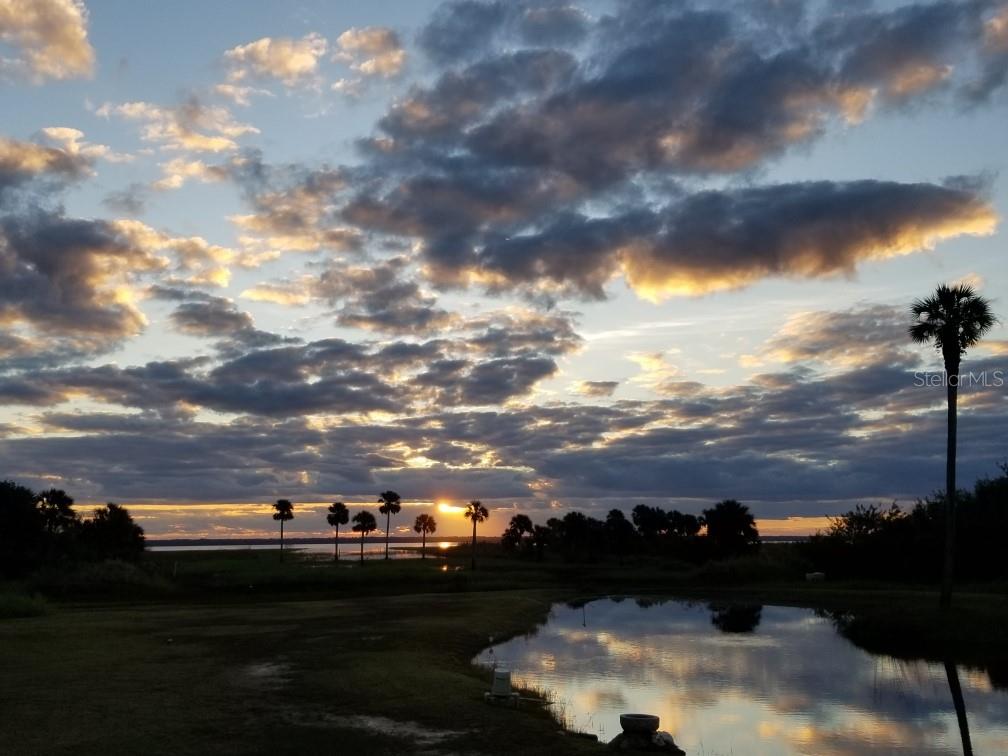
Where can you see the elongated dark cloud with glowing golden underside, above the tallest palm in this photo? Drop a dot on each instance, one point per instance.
(717, 240)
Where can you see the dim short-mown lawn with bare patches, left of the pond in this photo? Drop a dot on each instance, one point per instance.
(387, 675)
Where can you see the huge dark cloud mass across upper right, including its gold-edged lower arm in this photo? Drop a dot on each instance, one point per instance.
(549, 171)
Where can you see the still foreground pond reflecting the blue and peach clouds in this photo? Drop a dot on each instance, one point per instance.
(747, 681)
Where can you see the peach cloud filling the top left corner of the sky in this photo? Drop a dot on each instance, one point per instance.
(51, 38)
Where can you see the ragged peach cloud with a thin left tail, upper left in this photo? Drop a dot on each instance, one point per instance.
(192, 127)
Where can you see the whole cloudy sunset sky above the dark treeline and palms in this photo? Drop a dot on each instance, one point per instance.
(552, 257)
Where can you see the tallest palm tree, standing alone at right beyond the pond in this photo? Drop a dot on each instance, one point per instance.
(953, 319)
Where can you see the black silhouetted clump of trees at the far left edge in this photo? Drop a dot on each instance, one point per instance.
(41, 529)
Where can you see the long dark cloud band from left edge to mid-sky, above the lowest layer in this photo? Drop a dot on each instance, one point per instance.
(254, 373)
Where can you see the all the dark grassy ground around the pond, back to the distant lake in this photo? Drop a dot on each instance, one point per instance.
(232, 653)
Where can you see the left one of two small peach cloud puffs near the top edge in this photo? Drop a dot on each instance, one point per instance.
(292, 62)
